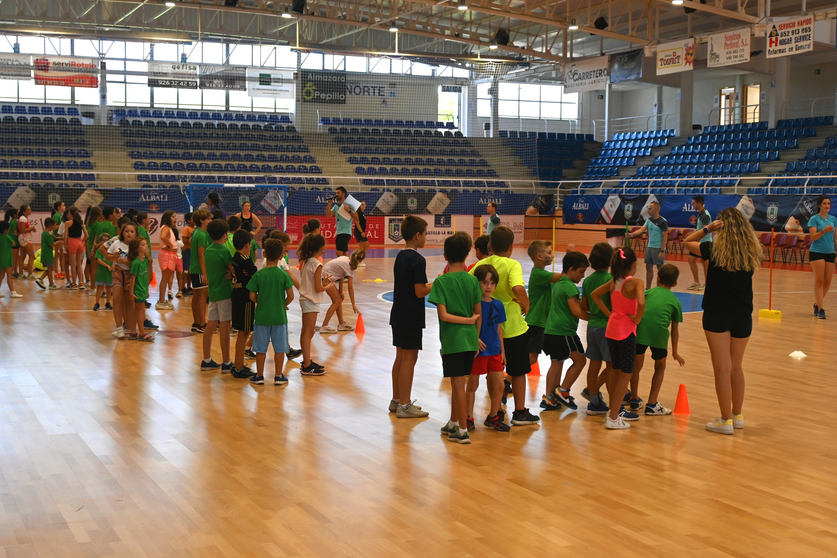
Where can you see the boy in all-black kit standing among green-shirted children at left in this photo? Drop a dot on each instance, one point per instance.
(244, 309)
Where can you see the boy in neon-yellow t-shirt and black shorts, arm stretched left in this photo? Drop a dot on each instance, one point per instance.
(511, 291)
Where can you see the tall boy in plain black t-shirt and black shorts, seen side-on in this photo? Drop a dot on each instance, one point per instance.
(407, 315)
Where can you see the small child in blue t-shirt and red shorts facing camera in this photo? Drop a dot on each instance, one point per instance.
(492, 356)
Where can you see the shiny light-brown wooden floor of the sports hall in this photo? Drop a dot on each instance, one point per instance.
(125, 449)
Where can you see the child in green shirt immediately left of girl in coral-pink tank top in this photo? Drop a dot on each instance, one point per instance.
(597, 349)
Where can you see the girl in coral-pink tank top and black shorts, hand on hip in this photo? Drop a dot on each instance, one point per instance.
(627, 297)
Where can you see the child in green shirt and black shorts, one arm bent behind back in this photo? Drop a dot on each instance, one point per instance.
(457, 296)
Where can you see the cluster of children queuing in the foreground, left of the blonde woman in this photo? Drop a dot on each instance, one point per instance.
(488, 321)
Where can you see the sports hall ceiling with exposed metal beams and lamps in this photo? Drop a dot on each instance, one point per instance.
(537, 29)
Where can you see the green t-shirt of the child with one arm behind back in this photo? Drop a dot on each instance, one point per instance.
(459, 292)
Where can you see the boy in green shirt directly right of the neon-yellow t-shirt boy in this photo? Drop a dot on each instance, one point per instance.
(540, 294)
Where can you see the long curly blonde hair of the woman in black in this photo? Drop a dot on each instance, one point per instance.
(735, 247)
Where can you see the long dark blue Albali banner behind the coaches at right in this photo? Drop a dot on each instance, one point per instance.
(788, 214)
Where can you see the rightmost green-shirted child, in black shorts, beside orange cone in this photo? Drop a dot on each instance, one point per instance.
(662, 310)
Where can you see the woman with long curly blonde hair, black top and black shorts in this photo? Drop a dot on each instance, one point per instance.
(733, 255)
